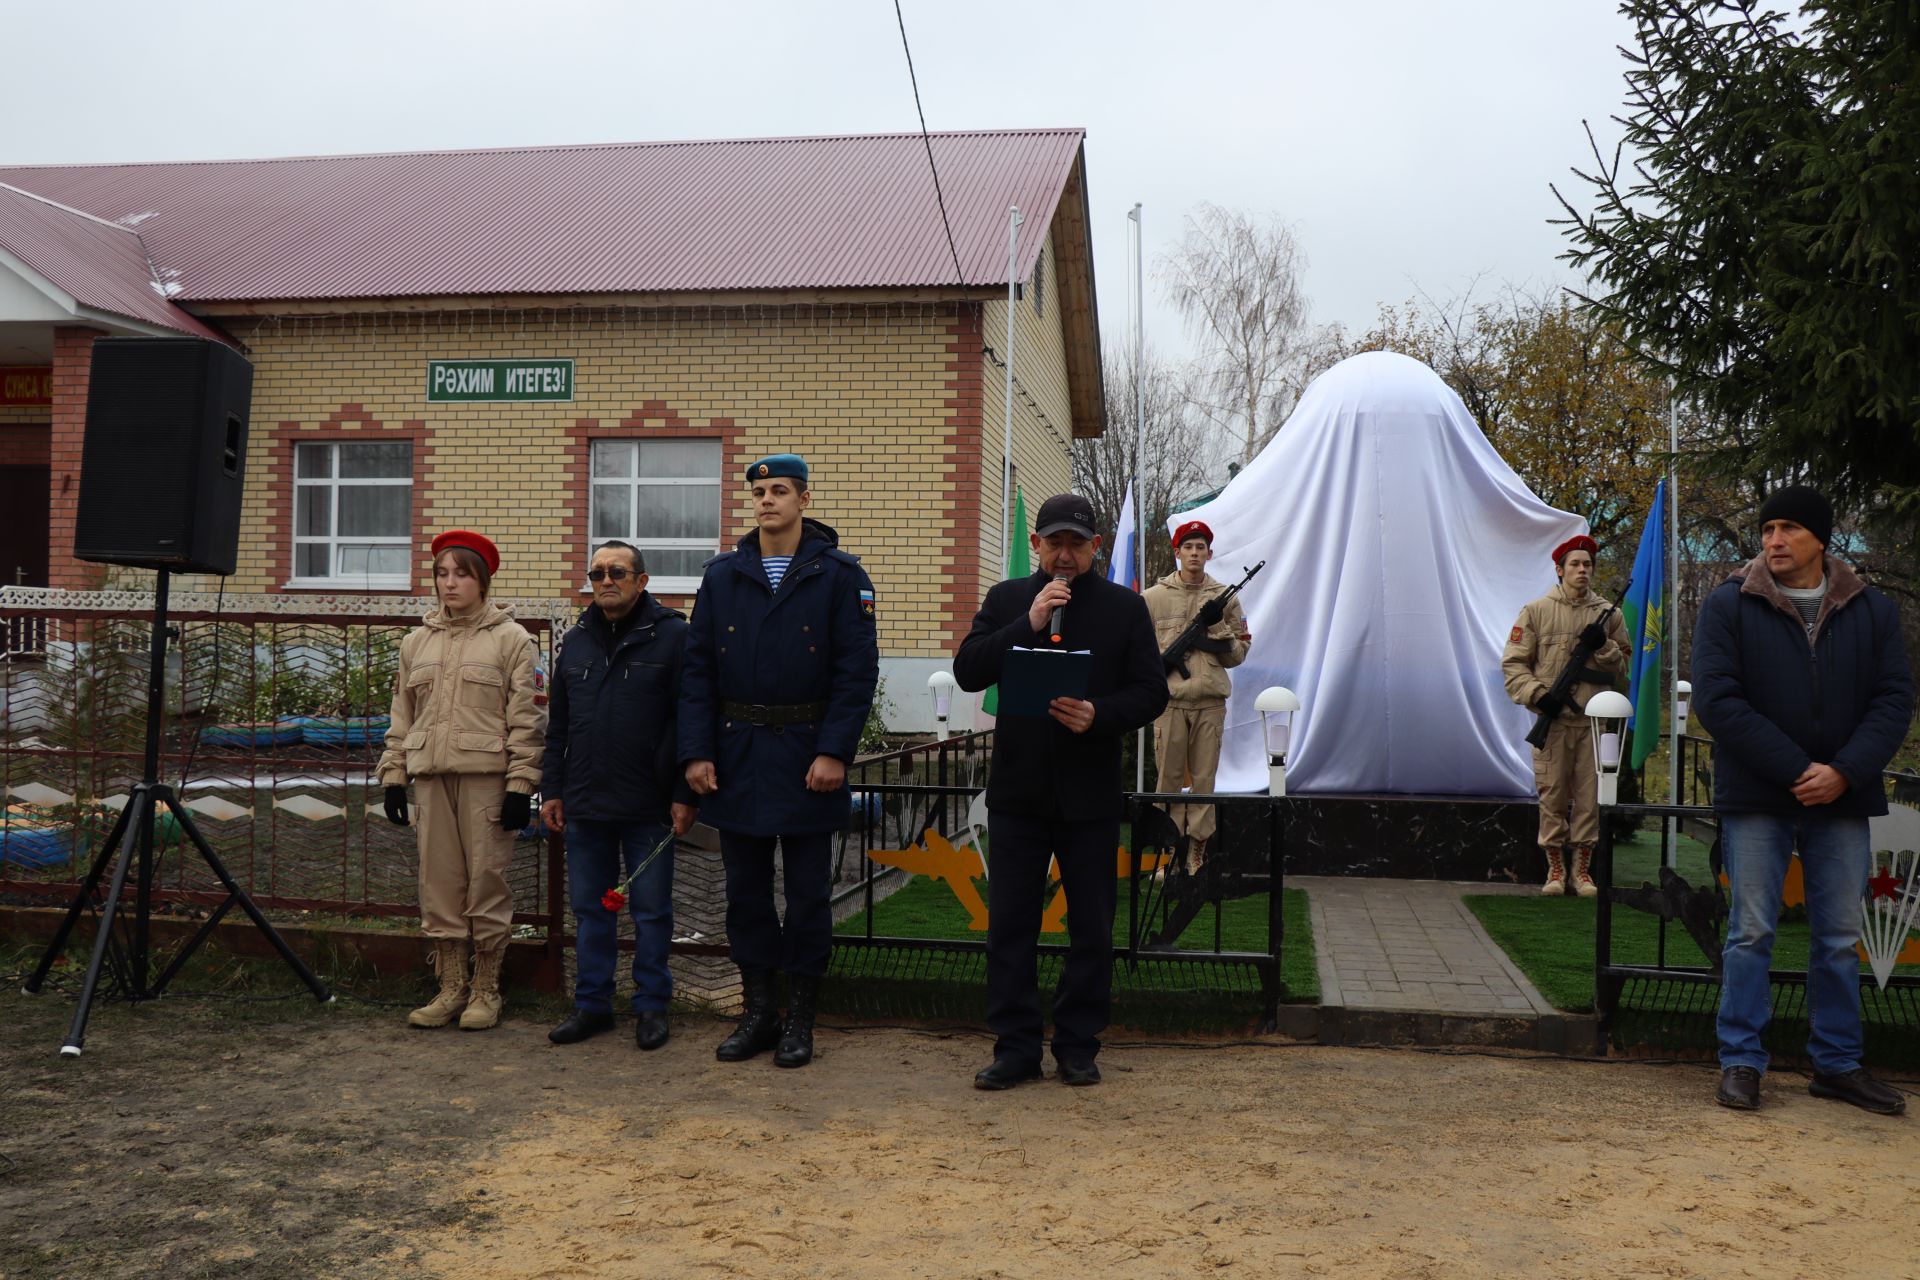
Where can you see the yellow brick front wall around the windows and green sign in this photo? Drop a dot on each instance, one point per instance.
(859, 391)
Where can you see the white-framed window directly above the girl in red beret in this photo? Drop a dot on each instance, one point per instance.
(354, 515)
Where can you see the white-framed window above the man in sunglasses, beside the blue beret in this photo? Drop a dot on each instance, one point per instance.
(663, 496)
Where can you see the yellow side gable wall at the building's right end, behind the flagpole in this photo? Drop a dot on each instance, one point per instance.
(1044, 417)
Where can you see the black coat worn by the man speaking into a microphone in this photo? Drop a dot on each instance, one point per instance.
(1042, 769)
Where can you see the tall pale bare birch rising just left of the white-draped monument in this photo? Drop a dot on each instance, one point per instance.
(1237, 283)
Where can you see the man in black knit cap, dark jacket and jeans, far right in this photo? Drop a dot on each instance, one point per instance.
(1802, 676)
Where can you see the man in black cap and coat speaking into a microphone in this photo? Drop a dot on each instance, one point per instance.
(1055, 792)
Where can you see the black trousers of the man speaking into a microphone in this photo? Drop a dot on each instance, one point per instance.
(1019, 851)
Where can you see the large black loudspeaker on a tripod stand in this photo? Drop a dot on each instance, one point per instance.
(166, 456)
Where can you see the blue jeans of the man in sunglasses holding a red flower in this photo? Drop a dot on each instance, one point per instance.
(600, 855)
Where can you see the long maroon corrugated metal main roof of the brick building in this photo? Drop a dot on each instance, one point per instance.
(765, 214)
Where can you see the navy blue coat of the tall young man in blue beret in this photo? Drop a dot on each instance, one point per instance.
(811, 642)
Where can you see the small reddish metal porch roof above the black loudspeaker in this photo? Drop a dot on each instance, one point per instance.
(101, 266)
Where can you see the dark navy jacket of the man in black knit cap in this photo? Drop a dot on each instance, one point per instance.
(1779, 701)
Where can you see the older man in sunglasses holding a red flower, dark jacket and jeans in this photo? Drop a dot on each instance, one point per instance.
(613, 786)
